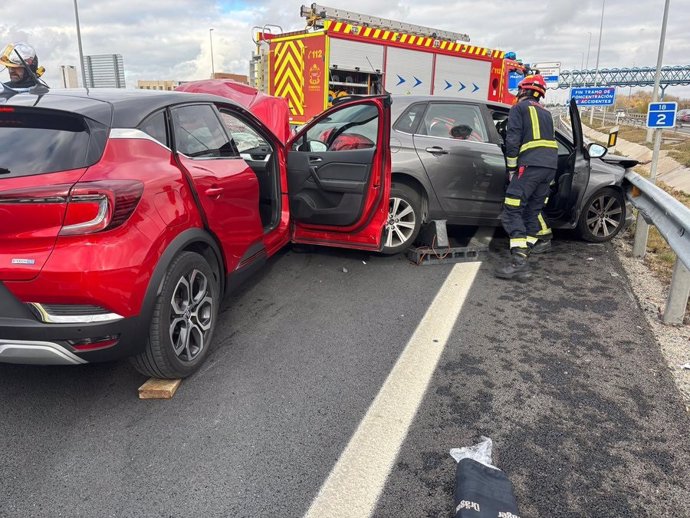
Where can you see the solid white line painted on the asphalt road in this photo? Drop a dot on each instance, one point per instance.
(357, 479)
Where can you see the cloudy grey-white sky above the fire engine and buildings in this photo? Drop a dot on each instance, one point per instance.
(171, 40)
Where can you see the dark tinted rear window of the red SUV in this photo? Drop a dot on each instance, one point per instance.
(35, 141)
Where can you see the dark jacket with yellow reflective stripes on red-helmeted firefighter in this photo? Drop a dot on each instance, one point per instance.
(530, 136)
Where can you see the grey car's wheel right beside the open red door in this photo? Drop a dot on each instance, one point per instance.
(404, 219)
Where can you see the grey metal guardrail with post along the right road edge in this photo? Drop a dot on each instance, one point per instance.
(672, 220)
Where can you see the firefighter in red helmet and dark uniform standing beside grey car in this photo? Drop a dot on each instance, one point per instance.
(532, 159)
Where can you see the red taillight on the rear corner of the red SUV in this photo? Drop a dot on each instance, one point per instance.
(102, 205)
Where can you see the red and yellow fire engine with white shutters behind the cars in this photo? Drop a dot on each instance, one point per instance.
(344, 53)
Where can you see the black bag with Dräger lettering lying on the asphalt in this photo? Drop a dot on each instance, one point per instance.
(483, 492)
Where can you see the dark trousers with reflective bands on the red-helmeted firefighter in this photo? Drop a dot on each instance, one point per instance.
(523, 203)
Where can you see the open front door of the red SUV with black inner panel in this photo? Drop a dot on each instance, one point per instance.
(339, 175)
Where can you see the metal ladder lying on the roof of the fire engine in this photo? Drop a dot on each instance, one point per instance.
(317, 14)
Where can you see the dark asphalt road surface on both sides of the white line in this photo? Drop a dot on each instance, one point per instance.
(562, 373)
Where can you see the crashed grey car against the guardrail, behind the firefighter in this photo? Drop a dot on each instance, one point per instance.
(448, 163)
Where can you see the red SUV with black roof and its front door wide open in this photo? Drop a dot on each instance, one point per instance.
(125, 216)
